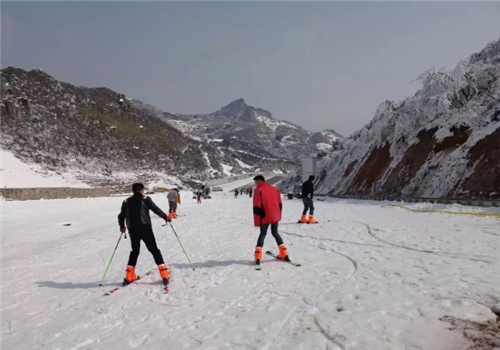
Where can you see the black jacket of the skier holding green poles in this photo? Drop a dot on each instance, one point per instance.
(135, 211)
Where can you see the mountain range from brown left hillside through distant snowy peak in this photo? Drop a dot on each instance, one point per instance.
(102, 136)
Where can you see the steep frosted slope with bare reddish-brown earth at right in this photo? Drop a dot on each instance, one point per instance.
(442, 142)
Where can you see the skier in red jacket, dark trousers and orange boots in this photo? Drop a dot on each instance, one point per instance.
(267, 208)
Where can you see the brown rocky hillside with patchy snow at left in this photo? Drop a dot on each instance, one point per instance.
(98, 133)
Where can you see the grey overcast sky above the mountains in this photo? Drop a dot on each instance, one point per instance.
(320, 65)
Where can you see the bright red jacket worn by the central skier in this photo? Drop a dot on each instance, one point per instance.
(267, 205)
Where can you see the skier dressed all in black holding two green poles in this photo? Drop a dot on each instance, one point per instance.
(135, 213)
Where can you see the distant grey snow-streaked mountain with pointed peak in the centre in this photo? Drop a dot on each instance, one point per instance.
(253, 137)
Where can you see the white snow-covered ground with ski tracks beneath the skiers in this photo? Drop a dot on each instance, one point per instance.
(372, 277)
